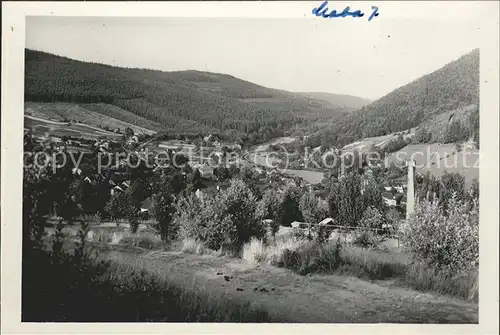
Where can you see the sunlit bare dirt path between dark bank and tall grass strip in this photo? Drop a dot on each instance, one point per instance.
(316, 298)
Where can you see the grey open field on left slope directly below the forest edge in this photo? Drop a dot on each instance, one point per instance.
(68, 111)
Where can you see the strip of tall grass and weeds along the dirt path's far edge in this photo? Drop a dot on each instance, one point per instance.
(309, 257)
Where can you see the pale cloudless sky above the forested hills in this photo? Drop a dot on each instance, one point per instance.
(366, 59)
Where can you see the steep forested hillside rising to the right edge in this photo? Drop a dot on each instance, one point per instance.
(454, 86)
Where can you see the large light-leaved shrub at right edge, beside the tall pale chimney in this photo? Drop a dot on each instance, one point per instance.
(446, 239)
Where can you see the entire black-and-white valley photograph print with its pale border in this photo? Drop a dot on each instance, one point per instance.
(322, 169)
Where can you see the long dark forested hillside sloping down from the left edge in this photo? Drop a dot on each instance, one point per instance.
(184, 102)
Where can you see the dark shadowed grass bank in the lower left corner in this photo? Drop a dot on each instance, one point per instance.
(67, 288)
